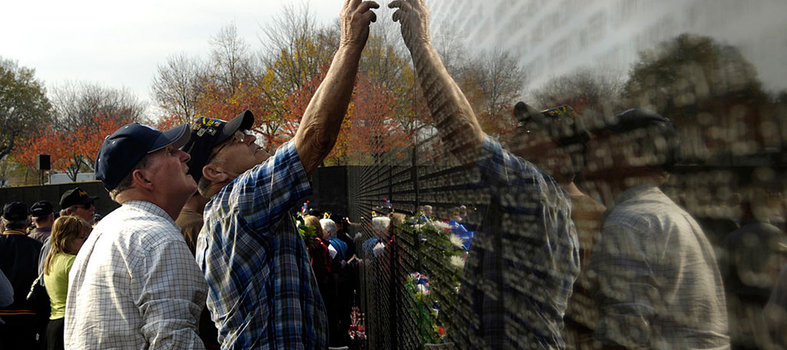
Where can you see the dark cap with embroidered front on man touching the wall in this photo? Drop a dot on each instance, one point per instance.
(207, 133)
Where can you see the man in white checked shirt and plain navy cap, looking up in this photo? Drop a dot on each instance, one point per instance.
(134, 283)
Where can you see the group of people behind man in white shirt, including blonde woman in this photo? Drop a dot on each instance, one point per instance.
(39, 246)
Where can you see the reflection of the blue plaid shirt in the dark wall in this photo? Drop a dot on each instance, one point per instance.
(523, 260)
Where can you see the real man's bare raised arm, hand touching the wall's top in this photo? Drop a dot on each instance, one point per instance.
(322, 119)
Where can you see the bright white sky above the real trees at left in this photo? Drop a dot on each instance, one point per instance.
(119, 44)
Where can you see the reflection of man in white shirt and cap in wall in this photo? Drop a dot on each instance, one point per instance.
(657, 284)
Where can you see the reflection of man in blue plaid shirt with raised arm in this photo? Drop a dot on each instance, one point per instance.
(525, 255)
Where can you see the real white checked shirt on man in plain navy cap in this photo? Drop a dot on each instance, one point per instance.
(134, 285)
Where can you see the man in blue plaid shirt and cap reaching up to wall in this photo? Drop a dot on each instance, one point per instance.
(263, 293)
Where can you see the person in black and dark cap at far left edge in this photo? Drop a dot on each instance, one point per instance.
(19, 262)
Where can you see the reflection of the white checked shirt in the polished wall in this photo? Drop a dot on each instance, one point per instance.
(658, 283)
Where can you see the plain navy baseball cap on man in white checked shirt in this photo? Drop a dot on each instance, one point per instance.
(123, 149)
